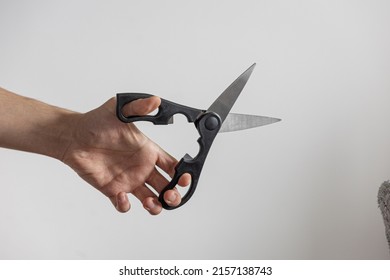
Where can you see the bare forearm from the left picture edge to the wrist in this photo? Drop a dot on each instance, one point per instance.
(33, 126)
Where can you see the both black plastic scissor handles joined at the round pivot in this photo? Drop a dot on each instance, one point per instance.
(208, 125)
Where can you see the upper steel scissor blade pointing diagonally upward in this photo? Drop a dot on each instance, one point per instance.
(224, 103)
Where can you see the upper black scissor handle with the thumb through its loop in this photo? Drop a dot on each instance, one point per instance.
(166, 110)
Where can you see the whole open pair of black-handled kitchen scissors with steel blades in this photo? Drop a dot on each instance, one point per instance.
(208, 123)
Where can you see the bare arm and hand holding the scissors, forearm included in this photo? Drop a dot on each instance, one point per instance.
(115, 158)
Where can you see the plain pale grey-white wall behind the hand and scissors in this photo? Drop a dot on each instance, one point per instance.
(304, 188)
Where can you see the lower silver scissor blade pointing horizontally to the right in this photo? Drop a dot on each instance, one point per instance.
(235, 122)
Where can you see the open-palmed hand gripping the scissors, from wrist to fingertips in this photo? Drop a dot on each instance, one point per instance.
(116, 158)
